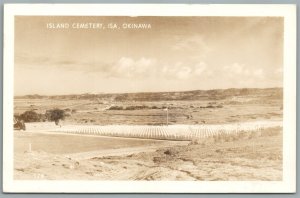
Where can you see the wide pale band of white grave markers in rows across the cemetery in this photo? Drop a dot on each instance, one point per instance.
(171, 132)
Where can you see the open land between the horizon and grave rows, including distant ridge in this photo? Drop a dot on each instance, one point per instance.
(195, 107)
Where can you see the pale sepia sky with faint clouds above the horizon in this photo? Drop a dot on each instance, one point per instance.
(175, 54)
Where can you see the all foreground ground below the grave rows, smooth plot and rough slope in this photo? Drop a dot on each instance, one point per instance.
(241, 158)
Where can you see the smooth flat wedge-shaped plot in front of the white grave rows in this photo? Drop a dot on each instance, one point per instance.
(67, 144)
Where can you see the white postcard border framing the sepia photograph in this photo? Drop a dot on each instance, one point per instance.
(288, 184)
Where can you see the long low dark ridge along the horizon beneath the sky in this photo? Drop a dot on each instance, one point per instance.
(214, 94)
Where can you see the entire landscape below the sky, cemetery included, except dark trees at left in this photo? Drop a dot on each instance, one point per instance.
(233, 134)
